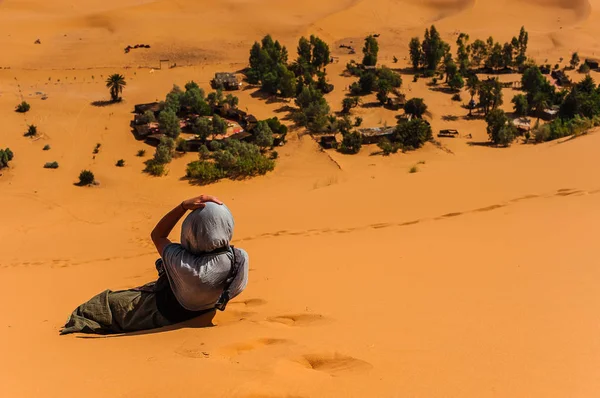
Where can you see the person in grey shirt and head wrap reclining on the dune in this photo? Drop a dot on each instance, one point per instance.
(195, 277)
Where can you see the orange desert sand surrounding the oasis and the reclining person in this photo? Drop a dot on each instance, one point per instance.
(474, 277)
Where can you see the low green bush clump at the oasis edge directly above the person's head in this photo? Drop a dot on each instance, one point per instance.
(228, 159)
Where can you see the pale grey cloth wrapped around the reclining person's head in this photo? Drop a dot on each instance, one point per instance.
(207, 229)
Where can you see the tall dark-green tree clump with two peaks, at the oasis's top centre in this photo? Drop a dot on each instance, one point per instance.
(269, 66)
